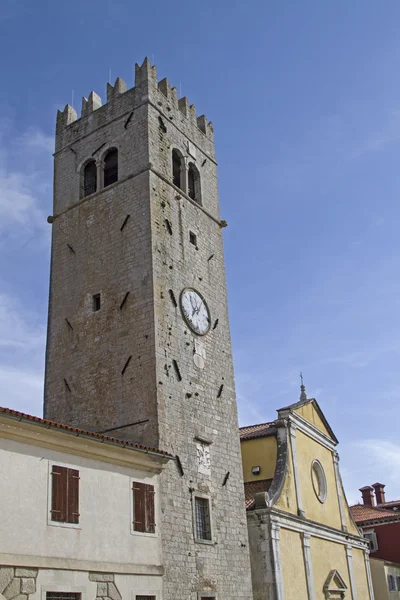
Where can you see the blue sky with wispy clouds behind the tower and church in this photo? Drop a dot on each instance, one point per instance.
(305, 101)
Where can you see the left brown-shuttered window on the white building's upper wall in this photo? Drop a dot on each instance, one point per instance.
(64, 494)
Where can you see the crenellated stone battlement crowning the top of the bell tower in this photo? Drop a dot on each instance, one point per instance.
(146, 89)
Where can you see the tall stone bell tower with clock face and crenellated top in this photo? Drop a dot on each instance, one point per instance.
(138, 332)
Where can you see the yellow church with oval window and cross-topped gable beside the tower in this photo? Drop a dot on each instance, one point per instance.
(304, 544)
